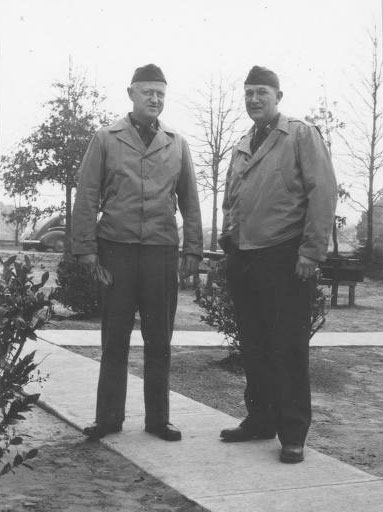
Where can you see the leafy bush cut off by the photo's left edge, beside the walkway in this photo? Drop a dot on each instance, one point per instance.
(23, 309)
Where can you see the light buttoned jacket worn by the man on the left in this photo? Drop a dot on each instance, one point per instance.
(137, 190)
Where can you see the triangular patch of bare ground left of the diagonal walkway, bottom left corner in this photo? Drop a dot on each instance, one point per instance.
(74, 475)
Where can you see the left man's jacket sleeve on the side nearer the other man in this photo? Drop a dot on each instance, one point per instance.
(189, 205)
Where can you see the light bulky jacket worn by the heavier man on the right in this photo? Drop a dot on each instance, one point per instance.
(287, 188)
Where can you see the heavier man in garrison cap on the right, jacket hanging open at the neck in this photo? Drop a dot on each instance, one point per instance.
(278, 208)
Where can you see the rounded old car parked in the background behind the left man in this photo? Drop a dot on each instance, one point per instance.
(47, 234)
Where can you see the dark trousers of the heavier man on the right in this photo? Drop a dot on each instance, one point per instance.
(273, 310)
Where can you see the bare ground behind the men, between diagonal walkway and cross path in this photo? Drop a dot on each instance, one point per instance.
(347, 392)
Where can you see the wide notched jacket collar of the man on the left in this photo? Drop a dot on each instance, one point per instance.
(125, 131)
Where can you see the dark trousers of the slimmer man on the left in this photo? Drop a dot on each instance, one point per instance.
(144, 278)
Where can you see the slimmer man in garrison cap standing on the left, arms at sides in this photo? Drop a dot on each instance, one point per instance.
(137, 172)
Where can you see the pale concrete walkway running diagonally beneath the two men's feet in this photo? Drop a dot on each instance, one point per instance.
(222, 477)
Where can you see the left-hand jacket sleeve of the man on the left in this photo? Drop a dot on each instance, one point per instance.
(86, 205)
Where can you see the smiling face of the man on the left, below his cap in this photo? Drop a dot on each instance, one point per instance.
(148, 100)
